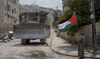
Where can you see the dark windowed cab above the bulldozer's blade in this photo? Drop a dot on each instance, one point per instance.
(33, 17)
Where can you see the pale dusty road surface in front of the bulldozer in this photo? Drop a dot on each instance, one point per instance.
(15, 50)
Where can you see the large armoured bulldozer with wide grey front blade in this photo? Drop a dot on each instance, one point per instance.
(32, 28)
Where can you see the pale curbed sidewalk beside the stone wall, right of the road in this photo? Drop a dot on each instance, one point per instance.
(62, 47)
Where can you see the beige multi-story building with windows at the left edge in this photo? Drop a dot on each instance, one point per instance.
(9, 14)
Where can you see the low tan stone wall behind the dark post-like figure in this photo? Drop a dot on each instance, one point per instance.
(88, 35)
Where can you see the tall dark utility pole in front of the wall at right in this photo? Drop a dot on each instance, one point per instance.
(92, 10)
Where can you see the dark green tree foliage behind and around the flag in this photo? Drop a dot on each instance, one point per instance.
(82, 9)
